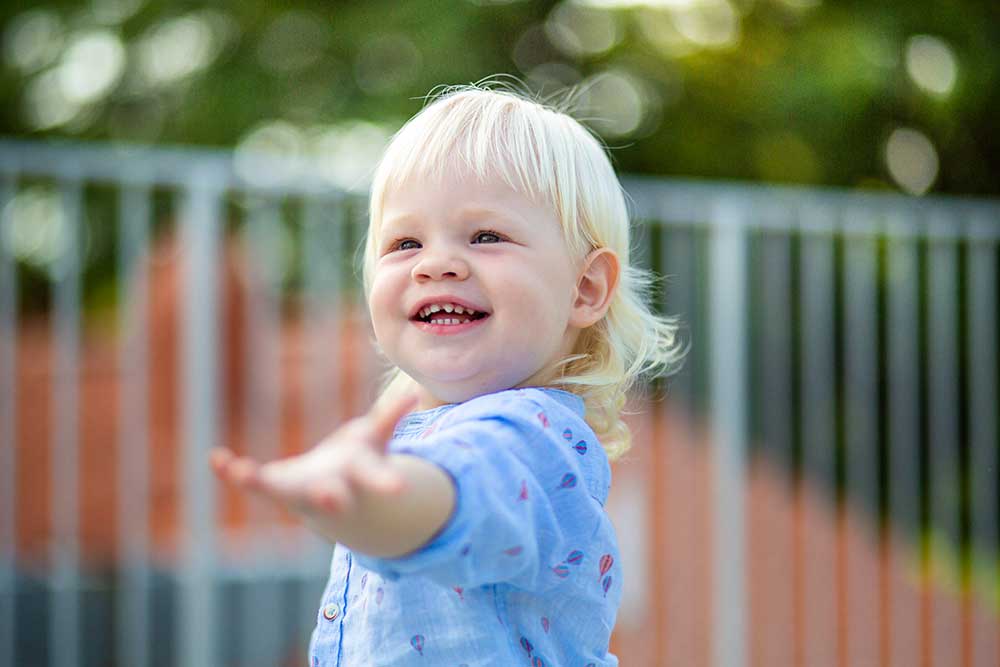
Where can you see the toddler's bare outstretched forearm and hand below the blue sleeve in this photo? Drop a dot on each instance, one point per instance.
(349, 490)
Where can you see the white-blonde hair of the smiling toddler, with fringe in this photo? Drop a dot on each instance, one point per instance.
(541, 151)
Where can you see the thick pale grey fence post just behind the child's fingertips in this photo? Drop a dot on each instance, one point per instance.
(199, 405)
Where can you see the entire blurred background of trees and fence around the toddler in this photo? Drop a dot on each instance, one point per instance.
(182, 198)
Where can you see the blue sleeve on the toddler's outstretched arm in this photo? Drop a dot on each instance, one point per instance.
(522, 508)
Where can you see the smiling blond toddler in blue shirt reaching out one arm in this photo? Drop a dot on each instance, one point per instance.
(467, 507)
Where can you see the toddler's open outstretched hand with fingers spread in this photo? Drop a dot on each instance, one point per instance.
(328, 480)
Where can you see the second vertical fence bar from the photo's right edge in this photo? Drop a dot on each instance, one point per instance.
(943, 425)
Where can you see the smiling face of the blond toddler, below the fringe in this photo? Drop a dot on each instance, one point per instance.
(434, 244)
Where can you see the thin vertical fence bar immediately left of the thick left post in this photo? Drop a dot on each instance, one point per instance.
(132, 603)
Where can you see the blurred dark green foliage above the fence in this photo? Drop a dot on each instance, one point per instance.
(798, 92)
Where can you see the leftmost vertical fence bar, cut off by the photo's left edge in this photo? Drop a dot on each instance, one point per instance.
(8, 428)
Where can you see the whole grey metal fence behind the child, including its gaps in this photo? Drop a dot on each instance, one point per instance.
(155, 302)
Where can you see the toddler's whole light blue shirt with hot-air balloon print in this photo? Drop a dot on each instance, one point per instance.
(525, 571)
